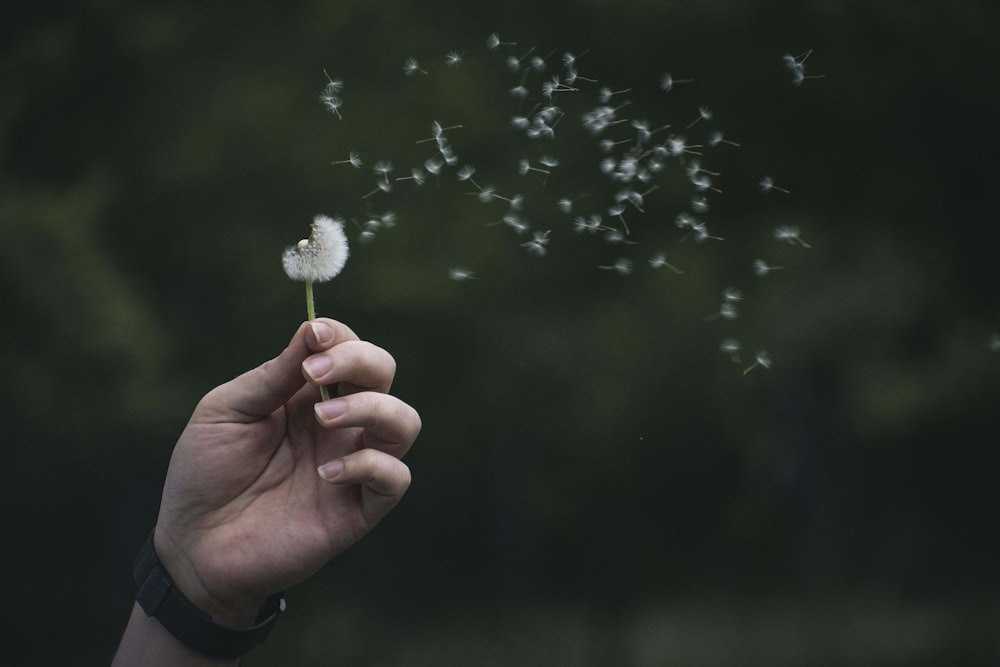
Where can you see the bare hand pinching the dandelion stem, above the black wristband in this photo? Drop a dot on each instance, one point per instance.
(266, 483)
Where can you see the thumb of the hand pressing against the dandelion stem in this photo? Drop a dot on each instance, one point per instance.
(262, 390)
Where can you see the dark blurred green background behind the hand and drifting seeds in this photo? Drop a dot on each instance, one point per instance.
(596, 483)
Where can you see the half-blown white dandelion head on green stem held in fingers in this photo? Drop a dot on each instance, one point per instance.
(317, 259)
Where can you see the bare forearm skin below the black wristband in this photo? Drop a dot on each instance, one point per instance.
(147, 643)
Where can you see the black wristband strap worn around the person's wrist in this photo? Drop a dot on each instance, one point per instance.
(161, 600)
